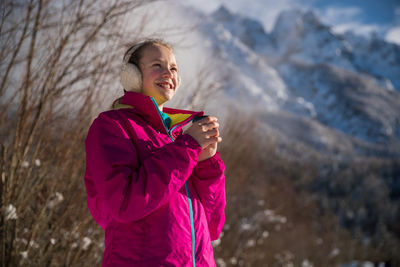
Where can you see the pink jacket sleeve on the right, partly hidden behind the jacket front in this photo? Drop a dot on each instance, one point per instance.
(209, 180)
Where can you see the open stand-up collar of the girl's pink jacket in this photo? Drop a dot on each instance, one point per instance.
(145, 106)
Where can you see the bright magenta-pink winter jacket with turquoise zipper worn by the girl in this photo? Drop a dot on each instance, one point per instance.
(157, 204)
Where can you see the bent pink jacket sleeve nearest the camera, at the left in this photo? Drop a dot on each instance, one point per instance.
(130, 188)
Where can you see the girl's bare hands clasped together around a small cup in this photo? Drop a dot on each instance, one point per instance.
(206, 133)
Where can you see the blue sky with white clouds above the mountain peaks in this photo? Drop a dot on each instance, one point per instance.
(363, 17)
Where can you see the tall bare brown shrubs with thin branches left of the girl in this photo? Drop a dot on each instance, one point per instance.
(57, 59)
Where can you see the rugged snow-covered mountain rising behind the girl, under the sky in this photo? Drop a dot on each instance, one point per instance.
(329, 92)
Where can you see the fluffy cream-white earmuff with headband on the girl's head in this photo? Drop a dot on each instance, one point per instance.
(130, 76)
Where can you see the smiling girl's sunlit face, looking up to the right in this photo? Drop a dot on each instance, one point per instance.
(159, 73)
